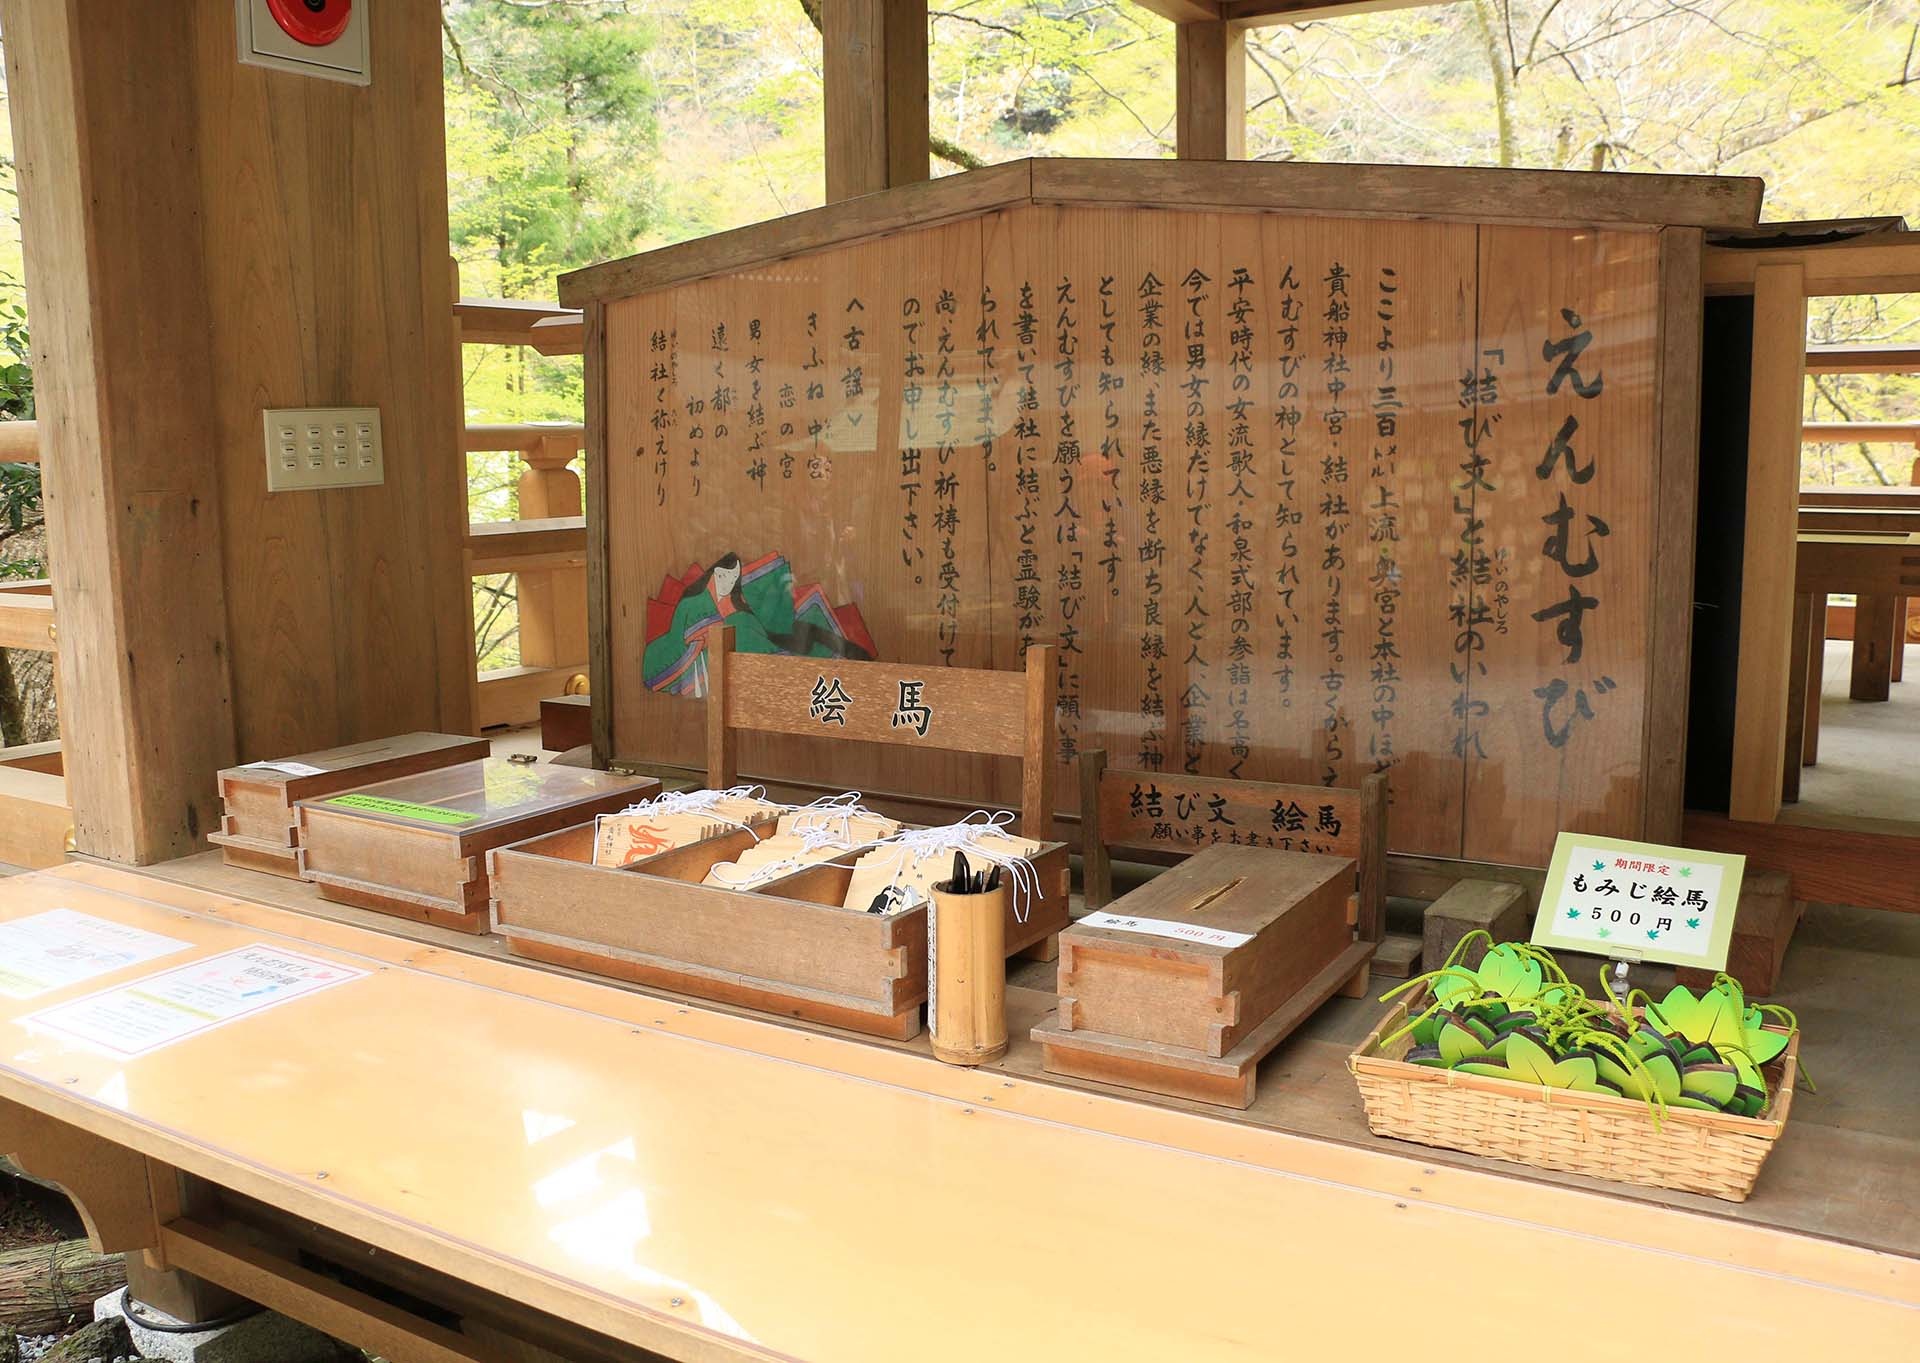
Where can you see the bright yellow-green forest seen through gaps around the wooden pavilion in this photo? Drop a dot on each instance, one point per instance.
(587, 130)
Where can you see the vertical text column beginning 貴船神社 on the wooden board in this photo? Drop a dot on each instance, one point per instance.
(1335, 517)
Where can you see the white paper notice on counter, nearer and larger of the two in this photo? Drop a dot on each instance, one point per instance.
(187, 1001)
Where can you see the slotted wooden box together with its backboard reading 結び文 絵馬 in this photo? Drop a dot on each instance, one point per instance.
(1293, 873)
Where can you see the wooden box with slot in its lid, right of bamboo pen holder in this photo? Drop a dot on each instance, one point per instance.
(1193, 1016)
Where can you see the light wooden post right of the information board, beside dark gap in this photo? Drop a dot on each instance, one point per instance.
(1775, 416)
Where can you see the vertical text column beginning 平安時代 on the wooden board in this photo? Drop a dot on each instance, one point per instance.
(1241, 523)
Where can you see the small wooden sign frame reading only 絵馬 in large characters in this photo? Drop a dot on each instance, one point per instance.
(913, 705)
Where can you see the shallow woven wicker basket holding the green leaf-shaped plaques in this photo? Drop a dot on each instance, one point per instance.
(1598, 1136)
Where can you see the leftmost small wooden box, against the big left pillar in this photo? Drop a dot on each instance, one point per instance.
(258, 823)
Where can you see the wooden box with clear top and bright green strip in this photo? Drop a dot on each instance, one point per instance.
(414, 848)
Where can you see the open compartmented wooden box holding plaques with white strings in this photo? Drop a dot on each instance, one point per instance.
(788, 947)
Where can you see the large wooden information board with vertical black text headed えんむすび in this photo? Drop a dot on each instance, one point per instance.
(1295, 498)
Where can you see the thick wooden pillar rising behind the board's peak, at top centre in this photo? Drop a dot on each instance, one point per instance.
(876, 95)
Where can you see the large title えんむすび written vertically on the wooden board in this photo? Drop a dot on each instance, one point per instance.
(1573, 538)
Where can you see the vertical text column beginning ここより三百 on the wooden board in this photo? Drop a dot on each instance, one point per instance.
(1383, 527)
